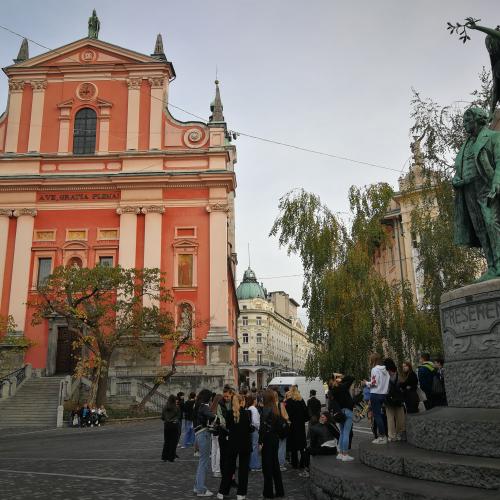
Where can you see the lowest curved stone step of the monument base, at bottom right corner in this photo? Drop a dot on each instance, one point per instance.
(331, 479)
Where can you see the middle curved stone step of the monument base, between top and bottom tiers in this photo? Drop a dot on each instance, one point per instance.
(406, 460)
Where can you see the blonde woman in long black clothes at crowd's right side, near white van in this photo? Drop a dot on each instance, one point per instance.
(298, 414)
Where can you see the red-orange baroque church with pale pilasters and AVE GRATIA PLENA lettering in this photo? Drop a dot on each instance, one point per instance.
(95, 170)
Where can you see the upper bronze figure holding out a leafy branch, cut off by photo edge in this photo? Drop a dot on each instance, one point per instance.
(492, 42)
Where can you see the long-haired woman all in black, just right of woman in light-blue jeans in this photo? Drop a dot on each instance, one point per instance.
(239, 445)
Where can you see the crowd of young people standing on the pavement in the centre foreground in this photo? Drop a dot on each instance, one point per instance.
(253, 430)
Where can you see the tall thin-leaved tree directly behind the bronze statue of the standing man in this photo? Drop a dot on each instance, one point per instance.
(438, 132)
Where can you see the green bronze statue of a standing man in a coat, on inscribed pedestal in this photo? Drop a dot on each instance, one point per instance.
(477, 189)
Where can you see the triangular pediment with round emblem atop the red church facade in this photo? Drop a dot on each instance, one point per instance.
(88, 52)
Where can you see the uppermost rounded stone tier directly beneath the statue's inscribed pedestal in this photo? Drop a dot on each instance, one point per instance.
(463, 431)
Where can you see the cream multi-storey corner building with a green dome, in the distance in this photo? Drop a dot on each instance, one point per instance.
(271, 337)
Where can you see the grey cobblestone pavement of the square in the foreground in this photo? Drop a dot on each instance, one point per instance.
(119, 461)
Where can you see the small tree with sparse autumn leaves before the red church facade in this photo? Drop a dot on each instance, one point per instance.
(104, 308)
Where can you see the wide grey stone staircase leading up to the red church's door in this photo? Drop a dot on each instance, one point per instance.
(33, 405)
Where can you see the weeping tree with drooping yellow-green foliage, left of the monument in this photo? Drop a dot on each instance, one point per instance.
(352, 310)
